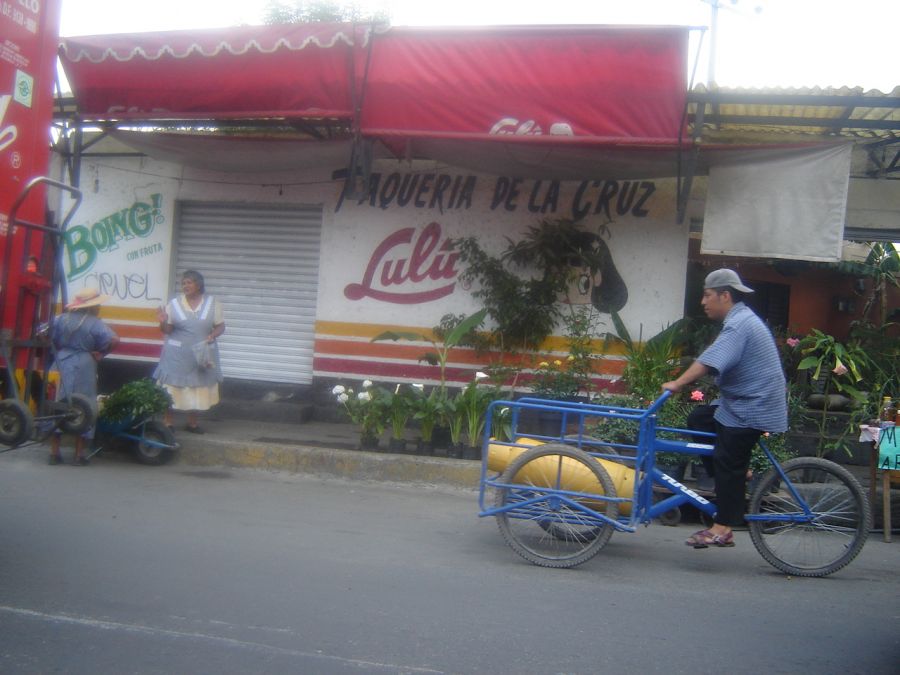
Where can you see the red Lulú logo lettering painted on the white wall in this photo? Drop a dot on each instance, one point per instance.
(405, 262)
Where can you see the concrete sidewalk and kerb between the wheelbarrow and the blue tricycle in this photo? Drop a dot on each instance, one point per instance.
(314, 447)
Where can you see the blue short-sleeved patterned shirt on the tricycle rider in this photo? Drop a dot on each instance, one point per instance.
(748, 373)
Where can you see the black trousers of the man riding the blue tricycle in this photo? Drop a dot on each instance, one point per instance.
(728, 464)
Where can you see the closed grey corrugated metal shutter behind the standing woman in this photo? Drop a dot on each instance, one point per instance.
(262, 263)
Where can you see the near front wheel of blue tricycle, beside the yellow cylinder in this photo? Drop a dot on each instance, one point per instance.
(548, 528)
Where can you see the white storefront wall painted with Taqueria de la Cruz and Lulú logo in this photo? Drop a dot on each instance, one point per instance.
(396, 267)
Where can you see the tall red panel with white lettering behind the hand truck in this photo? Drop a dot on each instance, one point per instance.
(29, 32)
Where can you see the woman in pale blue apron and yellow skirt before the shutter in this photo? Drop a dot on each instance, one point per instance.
(189, 366)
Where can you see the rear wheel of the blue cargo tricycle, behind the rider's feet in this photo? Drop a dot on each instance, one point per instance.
(822, 544)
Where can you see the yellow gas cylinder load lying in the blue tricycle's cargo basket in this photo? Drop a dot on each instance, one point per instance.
(574, 475)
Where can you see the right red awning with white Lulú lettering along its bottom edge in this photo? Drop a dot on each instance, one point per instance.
(594, 83)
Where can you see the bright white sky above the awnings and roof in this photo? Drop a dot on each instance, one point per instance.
(759, 43)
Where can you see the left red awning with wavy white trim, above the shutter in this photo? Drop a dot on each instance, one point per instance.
(297, 70)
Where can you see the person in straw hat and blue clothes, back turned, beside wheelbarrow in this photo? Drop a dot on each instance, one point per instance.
(81, 339)
